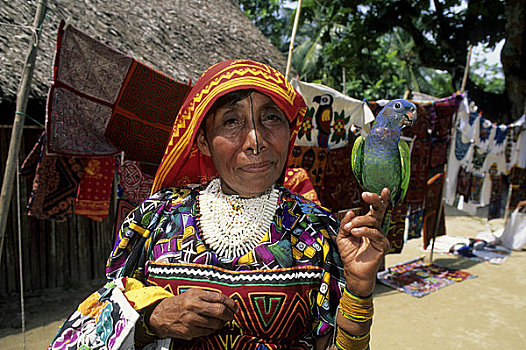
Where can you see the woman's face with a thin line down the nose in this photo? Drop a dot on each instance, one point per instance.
(247, 167)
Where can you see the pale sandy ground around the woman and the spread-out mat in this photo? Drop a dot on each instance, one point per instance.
(487, 312)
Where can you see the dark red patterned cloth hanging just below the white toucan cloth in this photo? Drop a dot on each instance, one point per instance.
(313, 160)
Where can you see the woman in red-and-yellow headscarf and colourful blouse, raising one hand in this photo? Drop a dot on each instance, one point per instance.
(237, 262)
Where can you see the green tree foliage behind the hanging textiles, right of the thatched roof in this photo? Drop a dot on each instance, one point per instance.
(385, 47)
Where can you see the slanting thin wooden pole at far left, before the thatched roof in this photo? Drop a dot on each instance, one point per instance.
(18, 125)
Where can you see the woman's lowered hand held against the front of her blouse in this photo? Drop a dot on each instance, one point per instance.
(192, 314)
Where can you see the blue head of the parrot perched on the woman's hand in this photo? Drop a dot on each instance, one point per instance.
(397, 114)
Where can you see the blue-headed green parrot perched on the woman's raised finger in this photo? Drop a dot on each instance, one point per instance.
(382, 159)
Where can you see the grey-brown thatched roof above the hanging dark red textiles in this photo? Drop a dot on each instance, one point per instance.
(179, 37)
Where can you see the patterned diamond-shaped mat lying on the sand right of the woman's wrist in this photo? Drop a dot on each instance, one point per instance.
(419, 278)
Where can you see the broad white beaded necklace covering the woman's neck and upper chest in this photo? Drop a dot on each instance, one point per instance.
(231, 225)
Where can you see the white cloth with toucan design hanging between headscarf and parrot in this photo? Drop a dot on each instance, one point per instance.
(330, 116)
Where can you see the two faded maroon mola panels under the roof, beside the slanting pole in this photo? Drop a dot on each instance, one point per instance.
(86, 82)
